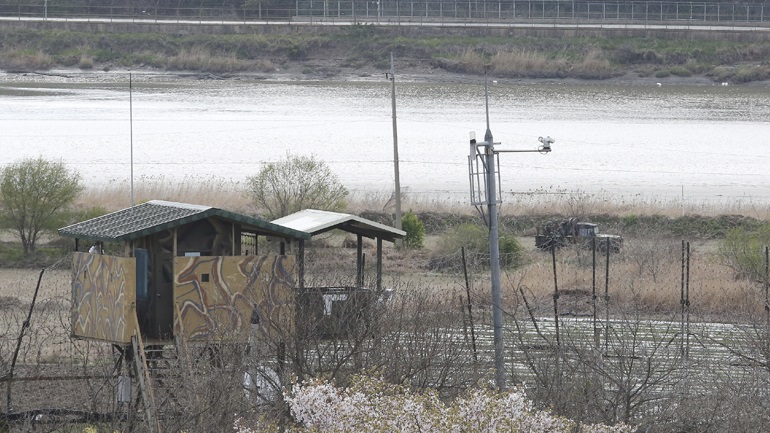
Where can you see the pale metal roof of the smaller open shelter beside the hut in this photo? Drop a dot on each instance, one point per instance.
(318, 221)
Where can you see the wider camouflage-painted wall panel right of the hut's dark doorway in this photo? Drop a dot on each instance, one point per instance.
(217, 296)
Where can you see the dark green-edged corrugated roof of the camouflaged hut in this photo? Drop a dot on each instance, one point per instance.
(158, 215)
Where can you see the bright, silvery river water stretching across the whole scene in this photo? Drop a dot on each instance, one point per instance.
(697, 143)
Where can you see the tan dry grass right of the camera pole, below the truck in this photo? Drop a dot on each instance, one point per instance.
(641, 282)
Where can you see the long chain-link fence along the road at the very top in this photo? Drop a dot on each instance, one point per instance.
(403, 11)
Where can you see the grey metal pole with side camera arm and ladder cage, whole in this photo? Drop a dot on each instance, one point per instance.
(482, 168)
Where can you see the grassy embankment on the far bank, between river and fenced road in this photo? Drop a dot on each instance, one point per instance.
(361, 48)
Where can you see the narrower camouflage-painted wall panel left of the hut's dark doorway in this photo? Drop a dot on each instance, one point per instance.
(103, 297)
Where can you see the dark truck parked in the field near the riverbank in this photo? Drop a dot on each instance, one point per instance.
(574, 232)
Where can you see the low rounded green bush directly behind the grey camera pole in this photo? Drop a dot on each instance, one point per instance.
(475, 240)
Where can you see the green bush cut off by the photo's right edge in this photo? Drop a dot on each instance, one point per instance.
(744, 251)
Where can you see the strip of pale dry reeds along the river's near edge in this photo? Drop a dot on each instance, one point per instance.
(233, 196)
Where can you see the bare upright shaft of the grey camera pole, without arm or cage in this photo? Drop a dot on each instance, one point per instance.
(494, 252)
